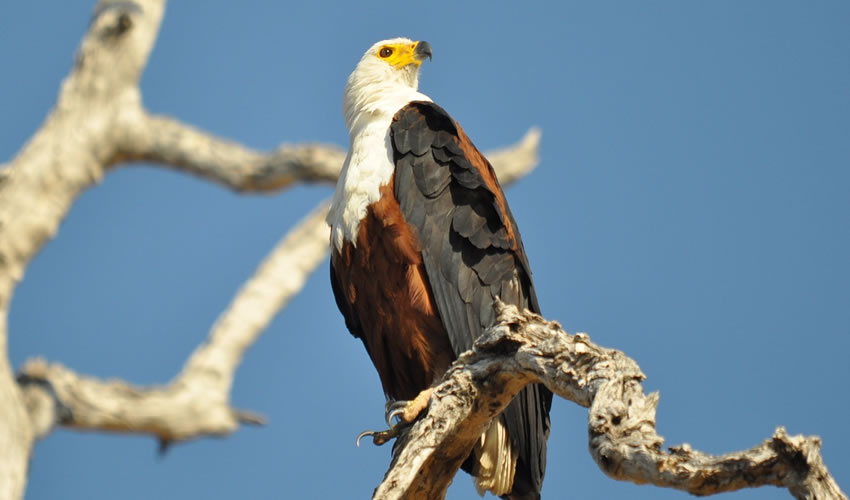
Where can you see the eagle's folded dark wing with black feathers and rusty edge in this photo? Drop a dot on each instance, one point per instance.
(472, 252)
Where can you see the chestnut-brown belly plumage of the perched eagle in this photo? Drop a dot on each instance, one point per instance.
(382, 283)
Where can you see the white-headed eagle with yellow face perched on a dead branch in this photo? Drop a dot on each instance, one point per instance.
(423, 243)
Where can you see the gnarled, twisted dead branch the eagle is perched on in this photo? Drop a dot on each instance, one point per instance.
(524, 348)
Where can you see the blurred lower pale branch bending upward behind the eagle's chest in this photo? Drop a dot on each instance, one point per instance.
(196, 402)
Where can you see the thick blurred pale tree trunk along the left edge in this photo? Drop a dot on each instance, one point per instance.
(64, 157)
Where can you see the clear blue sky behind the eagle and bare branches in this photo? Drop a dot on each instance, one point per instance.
(692, 208)
